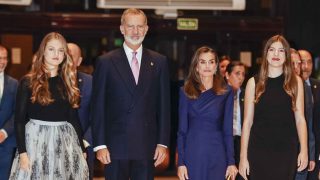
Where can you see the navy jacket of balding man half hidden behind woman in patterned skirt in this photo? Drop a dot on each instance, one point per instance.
(85, 86)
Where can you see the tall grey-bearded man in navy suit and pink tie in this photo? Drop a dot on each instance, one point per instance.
(131, 105)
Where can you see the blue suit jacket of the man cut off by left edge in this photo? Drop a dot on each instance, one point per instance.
(7, 107)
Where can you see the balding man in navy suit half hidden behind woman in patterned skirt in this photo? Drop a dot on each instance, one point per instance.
(85, 86)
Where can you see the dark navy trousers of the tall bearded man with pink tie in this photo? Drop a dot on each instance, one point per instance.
(129, 169)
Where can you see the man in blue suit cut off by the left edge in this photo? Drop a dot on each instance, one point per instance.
(8, 89)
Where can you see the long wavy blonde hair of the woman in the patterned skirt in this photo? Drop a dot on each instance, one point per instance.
(39, 75)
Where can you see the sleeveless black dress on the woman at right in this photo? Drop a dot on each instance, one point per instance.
(273, 141)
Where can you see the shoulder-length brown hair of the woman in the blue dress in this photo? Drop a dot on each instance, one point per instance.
(193, 85)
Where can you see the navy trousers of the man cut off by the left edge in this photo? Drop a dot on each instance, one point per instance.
(6, 158)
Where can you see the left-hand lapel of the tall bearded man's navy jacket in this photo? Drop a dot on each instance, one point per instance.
(122, 65)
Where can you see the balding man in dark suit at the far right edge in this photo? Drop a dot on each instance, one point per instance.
(312, 87)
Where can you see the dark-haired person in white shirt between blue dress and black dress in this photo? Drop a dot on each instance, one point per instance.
(235, 75)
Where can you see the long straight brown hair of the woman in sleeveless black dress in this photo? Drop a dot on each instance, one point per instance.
(290, 81)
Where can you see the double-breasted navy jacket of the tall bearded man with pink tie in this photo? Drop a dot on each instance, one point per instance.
(131, 119)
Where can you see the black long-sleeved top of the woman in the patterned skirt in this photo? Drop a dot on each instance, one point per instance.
(59, 110)
